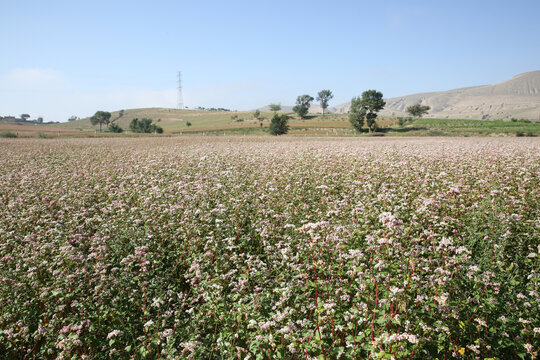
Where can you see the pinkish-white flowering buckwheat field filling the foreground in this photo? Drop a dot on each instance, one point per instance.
(265, 248)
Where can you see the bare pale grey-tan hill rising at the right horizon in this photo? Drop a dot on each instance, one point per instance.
(518, 97)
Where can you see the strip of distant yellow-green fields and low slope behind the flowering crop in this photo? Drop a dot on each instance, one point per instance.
(175, 122)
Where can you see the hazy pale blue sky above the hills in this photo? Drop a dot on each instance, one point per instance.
(62, 58)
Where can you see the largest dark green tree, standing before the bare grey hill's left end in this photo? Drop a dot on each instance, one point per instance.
(365, 108)
